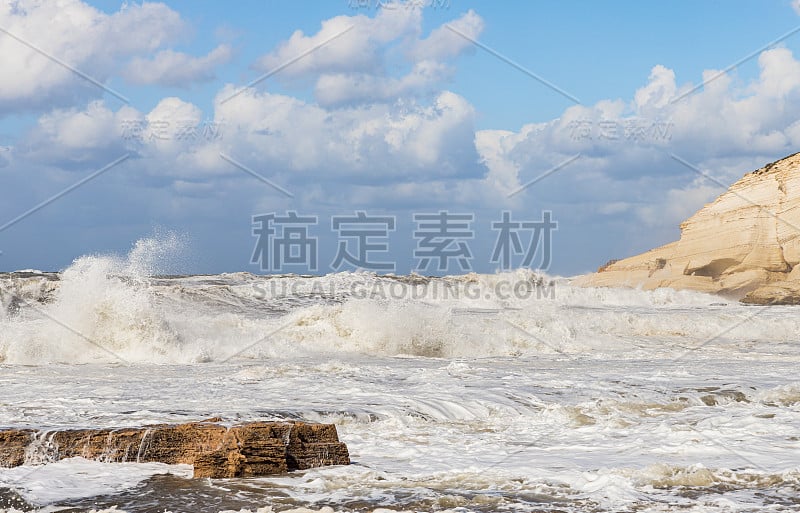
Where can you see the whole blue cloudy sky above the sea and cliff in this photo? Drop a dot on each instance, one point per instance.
(211, 123)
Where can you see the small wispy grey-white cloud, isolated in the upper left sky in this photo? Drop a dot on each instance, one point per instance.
(171, 68)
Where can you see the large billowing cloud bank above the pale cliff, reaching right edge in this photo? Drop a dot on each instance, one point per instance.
(723, 129)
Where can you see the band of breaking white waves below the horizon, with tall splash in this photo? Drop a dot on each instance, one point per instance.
(107, 308)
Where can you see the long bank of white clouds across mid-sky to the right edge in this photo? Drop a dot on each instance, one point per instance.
(412, 150)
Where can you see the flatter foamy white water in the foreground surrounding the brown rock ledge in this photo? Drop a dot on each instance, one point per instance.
(427, 434)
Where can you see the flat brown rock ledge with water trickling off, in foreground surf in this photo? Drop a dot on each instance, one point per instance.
(216, 451)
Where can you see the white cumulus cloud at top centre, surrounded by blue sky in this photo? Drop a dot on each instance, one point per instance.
(357, 59)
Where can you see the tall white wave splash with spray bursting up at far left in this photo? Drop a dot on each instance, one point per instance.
(102, 310)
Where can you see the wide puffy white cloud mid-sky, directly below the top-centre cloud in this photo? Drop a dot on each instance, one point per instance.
(378, 142)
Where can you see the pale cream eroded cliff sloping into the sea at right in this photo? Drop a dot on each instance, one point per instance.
(745, 245)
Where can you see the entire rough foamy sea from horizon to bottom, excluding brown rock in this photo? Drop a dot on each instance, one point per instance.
(508, 392)
